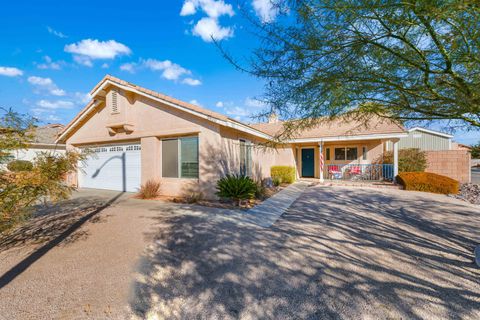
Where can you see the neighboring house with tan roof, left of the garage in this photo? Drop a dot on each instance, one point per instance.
(44, 141)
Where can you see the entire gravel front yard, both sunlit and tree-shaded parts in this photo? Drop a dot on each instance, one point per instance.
(338, 253)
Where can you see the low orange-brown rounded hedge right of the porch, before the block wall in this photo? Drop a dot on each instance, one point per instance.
(428, 182)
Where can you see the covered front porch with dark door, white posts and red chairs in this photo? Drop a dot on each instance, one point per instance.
(350, 159)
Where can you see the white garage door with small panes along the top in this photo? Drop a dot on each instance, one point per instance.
(116, 167)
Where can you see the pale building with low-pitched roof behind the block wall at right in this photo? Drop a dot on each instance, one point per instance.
(425, 140)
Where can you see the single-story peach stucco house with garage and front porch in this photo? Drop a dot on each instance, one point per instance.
(139, 134)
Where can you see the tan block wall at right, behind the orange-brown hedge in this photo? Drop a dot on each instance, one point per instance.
(451, 163)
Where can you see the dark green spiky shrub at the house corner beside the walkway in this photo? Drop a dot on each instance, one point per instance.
(236, 187)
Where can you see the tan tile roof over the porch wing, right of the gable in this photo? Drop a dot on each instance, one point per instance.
(335, 128)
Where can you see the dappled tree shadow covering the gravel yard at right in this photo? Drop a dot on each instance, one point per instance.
(338, 253)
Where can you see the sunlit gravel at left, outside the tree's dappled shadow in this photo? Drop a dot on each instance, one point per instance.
(74, 262)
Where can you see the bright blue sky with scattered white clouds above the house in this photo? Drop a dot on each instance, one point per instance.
(52, 53)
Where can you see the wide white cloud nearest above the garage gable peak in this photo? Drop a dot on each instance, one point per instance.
(87, 50)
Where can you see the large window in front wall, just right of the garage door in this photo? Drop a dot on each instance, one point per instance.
(180, 158)
